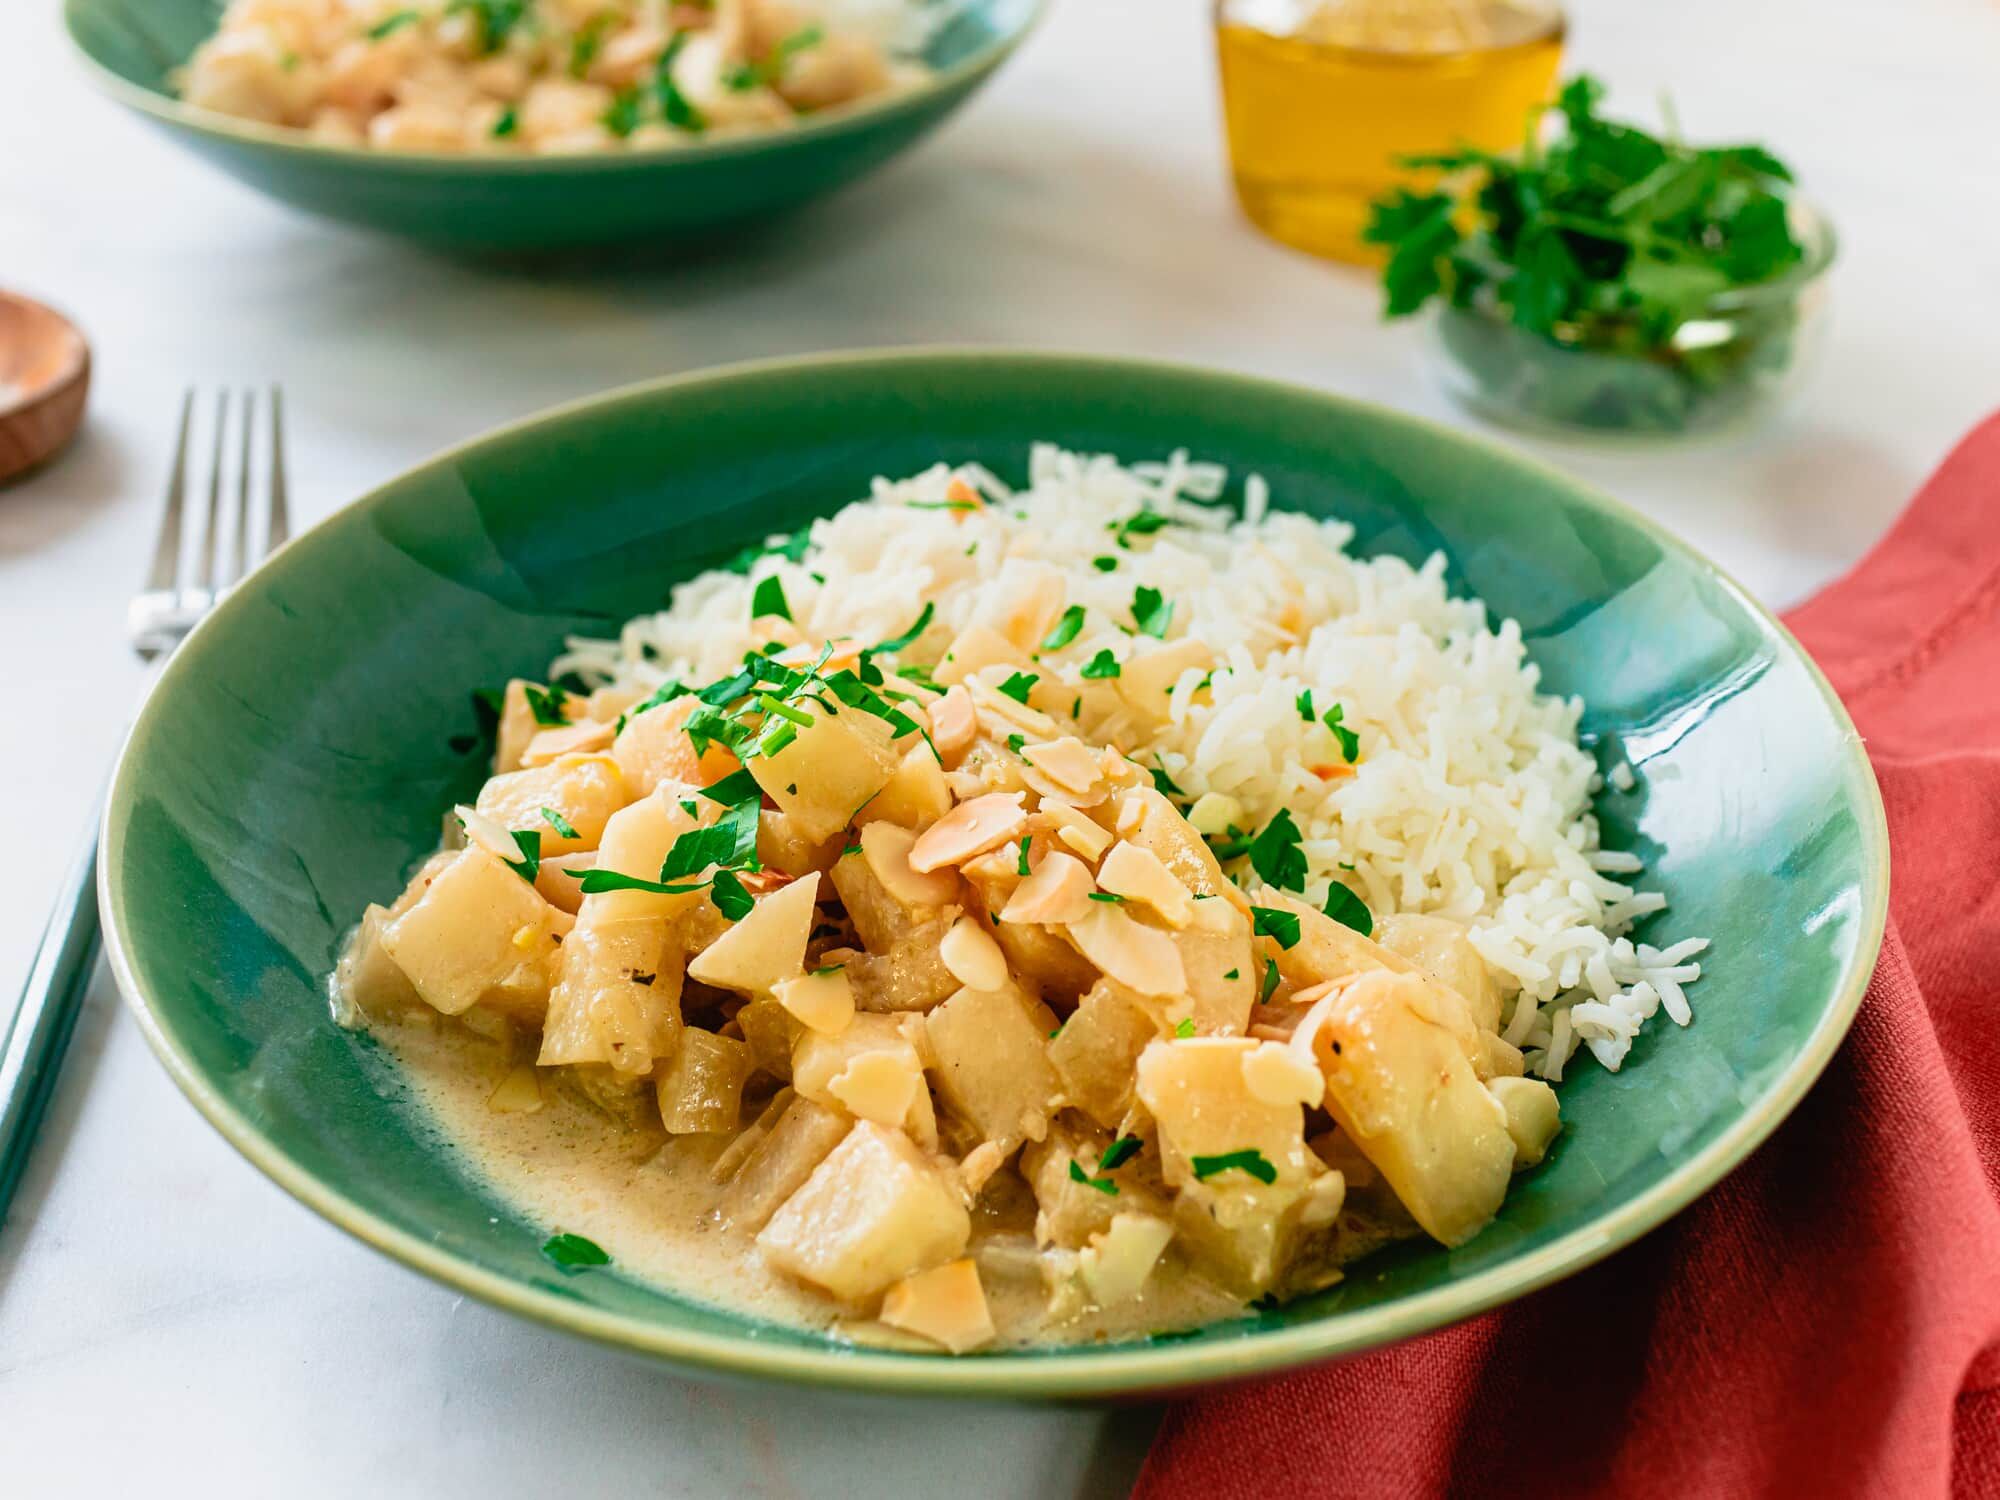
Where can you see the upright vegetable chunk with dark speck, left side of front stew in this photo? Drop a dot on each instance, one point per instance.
(617, 997)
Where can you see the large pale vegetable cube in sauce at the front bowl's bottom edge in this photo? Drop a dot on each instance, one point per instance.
(873, 1213)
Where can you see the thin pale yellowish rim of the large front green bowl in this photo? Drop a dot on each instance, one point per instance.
(1067, 1371)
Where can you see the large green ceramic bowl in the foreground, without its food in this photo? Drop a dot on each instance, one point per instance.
(295, 757)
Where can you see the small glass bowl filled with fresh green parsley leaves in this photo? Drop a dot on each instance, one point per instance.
(1607, 279)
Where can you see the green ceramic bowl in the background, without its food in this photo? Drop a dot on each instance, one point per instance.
(539, 203)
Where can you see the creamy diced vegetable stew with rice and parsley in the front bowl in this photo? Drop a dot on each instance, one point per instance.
(1007, 917)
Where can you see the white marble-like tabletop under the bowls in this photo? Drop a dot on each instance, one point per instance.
(169, 1321)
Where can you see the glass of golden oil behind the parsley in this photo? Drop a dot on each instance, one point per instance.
(1323, 97)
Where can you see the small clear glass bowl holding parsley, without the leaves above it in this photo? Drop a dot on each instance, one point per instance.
(1601, 377)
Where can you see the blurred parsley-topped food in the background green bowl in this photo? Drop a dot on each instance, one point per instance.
(549, 77)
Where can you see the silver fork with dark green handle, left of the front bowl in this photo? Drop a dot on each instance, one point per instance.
(177, 595)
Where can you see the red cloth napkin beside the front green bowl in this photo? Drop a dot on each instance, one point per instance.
(1825, 1323)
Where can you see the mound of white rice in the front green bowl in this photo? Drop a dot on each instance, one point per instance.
(1471, 797)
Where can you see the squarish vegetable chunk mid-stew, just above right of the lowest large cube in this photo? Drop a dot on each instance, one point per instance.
(993, 1067)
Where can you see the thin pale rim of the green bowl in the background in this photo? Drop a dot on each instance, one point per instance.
(819, 127)
